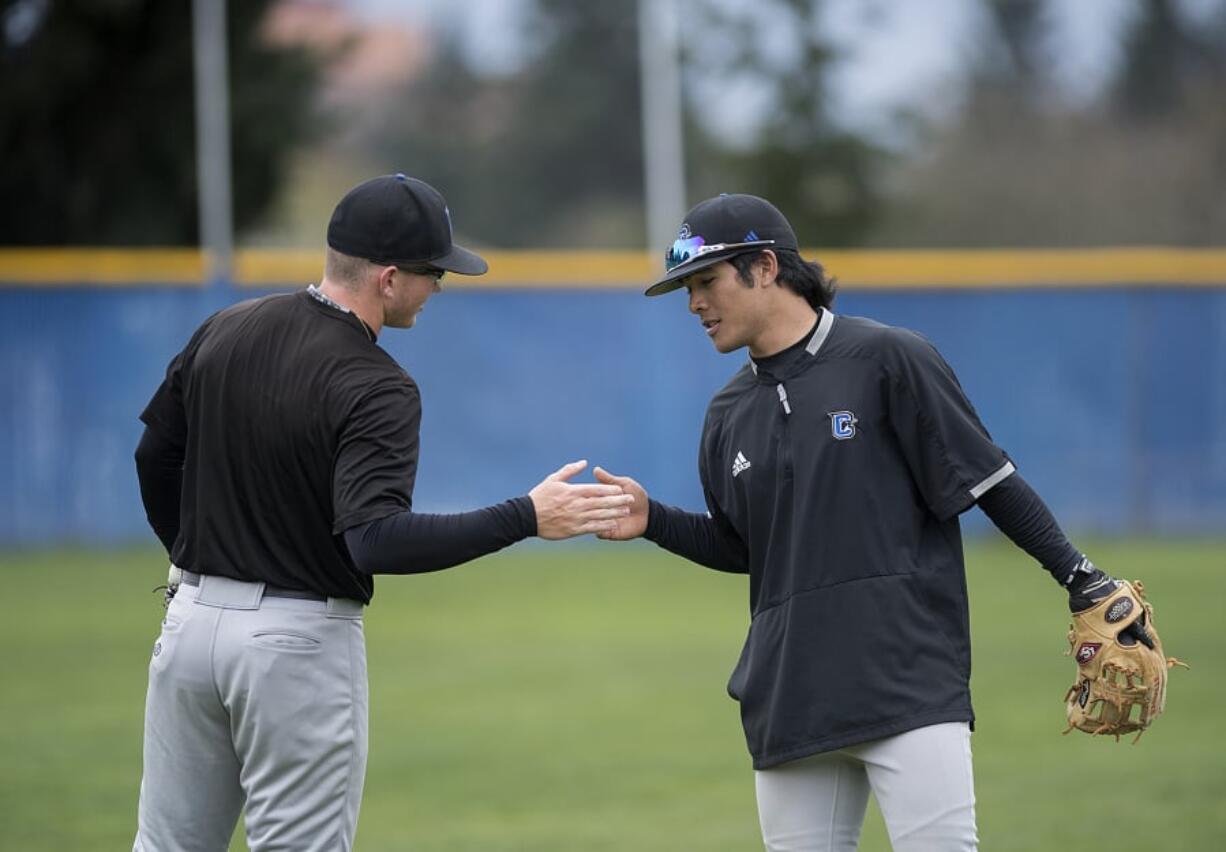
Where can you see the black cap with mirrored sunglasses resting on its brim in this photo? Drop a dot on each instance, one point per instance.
(720, 229)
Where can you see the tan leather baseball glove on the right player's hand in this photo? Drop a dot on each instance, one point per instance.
(1121, 680)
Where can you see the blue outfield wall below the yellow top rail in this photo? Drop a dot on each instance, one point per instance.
(1113, 401)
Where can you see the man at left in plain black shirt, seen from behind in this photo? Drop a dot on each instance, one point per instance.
(278, 469)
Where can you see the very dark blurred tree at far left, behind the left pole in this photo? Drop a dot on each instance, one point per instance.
(97, 120)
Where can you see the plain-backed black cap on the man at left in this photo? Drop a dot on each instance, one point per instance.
(399, 221)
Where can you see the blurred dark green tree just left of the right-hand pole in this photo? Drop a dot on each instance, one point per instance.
(547, 156)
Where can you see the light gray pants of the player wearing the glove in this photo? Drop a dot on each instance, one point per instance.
(923, 780)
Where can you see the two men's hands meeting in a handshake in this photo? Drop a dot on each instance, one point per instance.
(614, 508)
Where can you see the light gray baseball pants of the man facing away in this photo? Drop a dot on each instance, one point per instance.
(254, 702)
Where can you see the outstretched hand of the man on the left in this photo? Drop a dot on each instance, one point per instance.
(567, 509)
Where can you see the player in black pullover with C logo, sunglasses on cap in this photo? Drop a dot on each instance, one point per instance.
(836, 465)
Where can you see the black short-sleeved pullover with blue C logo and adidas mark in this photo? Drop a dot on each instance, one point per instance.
(838, 471)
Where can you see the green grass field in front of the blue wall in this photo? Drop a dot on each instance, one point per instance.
(573, 699)
